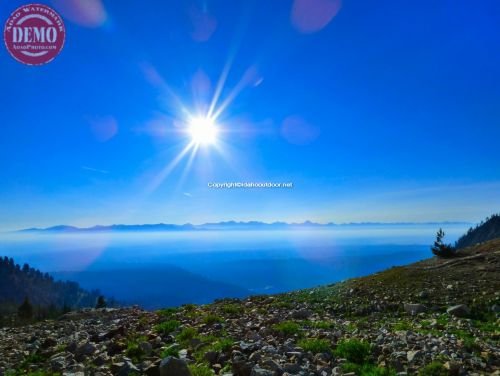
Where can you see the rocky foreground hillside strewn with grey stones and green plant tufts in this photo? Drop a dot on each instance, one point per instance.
(435, 317)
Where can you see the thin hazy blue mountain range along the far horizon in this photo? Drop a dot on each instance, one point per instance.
(229, 225)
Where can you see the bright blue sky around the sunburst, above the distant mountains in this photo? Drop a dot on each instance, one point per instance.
(376, 111)
